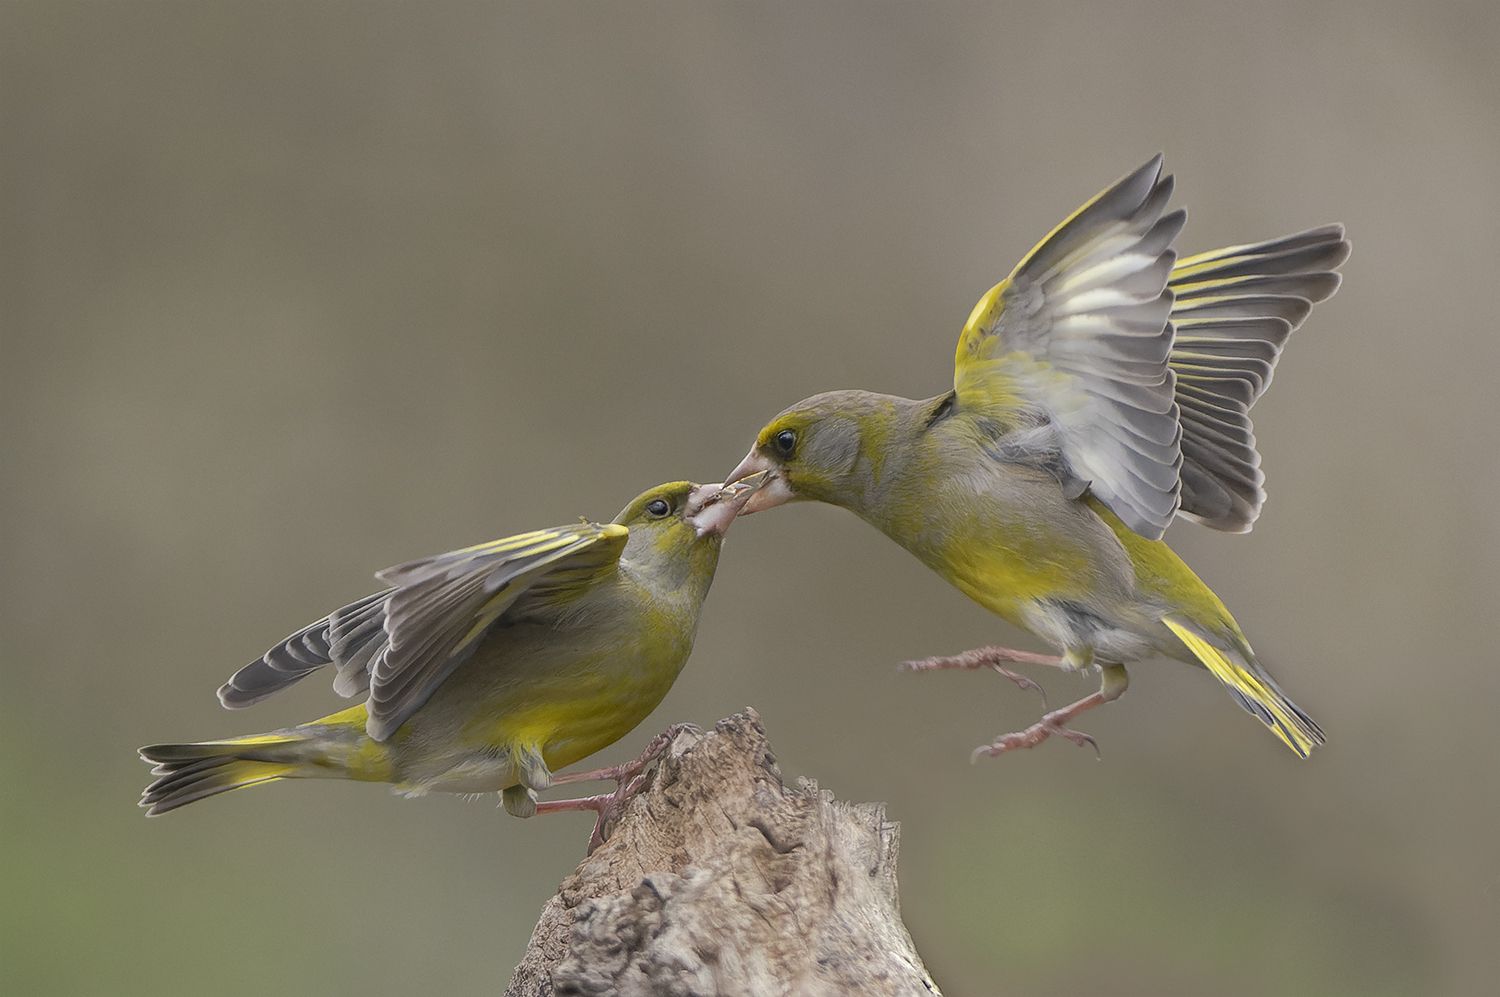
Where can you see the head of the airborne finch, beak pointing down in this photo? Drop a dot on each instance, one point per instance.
(812, 451)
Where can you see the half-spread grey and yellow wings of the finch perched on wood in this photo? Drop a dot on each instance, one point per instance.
(401, 644)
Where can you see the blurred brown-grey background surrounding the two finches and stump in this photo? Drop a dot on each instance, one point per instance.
(296, 292)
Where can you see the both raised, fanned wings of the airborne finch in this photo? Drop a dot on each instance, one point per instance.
(1145, 365)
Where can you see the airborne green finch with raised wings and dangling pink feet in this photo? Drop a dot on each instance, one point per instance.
(1100, 391)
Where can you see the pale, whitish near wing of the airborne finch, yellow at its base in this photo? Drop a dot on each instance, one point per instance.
(1078, 340)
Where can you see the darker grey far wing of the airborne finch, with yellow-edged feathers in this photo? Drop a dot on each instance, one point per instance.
(1234, 311)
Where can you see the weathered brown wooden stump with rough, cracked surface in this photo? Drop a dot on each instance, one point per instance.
(722, 882)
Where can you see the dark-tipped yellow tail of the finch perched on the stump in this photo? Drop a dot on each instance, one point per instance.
(188, 773)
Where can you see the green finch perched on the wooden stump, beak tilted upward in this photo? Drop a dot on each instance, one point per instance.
(485, 669)
